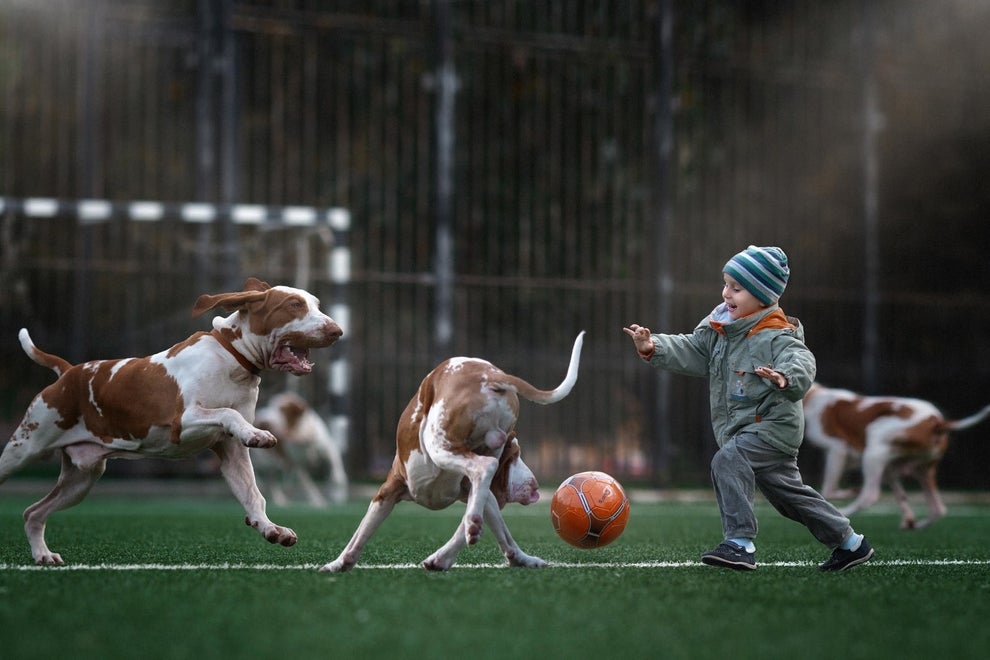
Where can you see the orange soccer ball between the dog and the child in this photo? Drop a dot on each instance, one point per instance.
(589, 510)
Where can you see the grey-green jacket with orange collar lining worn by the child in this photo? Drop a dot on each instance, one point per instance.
(728, 353)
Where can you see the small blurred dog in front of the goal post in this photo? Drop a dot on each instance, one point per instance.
(305, 446)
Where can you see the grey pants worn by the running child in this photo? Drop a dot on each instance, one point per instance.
(746, 462)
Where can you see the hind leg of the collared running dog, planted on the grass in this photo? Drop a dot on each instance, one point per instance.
(82, 466)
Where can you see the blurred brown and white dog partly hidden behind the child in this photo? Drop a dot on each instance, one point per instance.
(891, 436)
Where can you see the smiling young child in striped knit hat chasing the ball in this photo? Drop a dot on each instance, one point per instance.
(759, 370)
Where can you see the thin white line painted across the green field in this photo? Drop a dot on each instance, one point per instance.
(395, 567)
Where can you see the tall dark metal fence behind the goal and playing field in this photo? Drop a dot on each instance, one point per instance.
(515, 172)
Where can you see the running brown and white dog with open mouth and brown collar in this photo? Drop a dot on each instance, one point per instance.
(199, 394)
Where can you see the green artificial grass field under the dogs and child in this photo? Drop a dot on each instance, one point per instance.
(173, 577)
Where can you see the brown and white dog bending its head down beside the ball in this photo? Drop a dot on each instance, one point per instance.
(455, 441)
